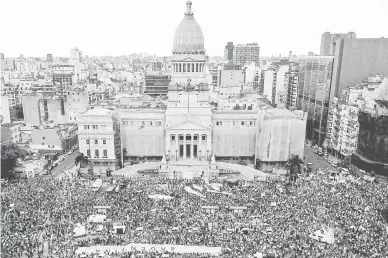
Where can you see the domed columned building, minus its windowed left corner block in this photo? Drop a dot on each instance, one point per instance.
(190, 132)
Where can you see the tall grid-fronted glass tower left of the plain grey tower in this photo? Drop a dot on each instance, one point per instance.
(314, 94)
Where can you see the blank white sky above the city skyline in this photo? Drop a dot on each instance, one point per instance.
(123, 27)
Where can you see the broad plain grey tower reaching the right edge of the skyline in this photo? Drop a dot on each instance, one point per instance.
(356, 59)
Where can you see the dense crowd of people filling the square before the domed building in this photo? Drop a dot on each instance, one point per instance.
(40, 214)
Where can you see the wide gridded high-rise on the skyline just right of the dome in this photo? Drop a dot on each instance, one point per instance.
(246, 53)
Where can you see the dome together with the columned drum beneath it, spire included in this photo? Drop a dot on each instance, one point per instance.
(188, 53)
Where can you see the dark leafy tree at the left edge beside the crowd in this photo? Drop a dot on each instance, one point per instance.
(10, 152)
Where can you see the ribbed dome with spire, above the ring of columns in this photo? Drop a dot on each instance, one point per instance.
(188, 36)
